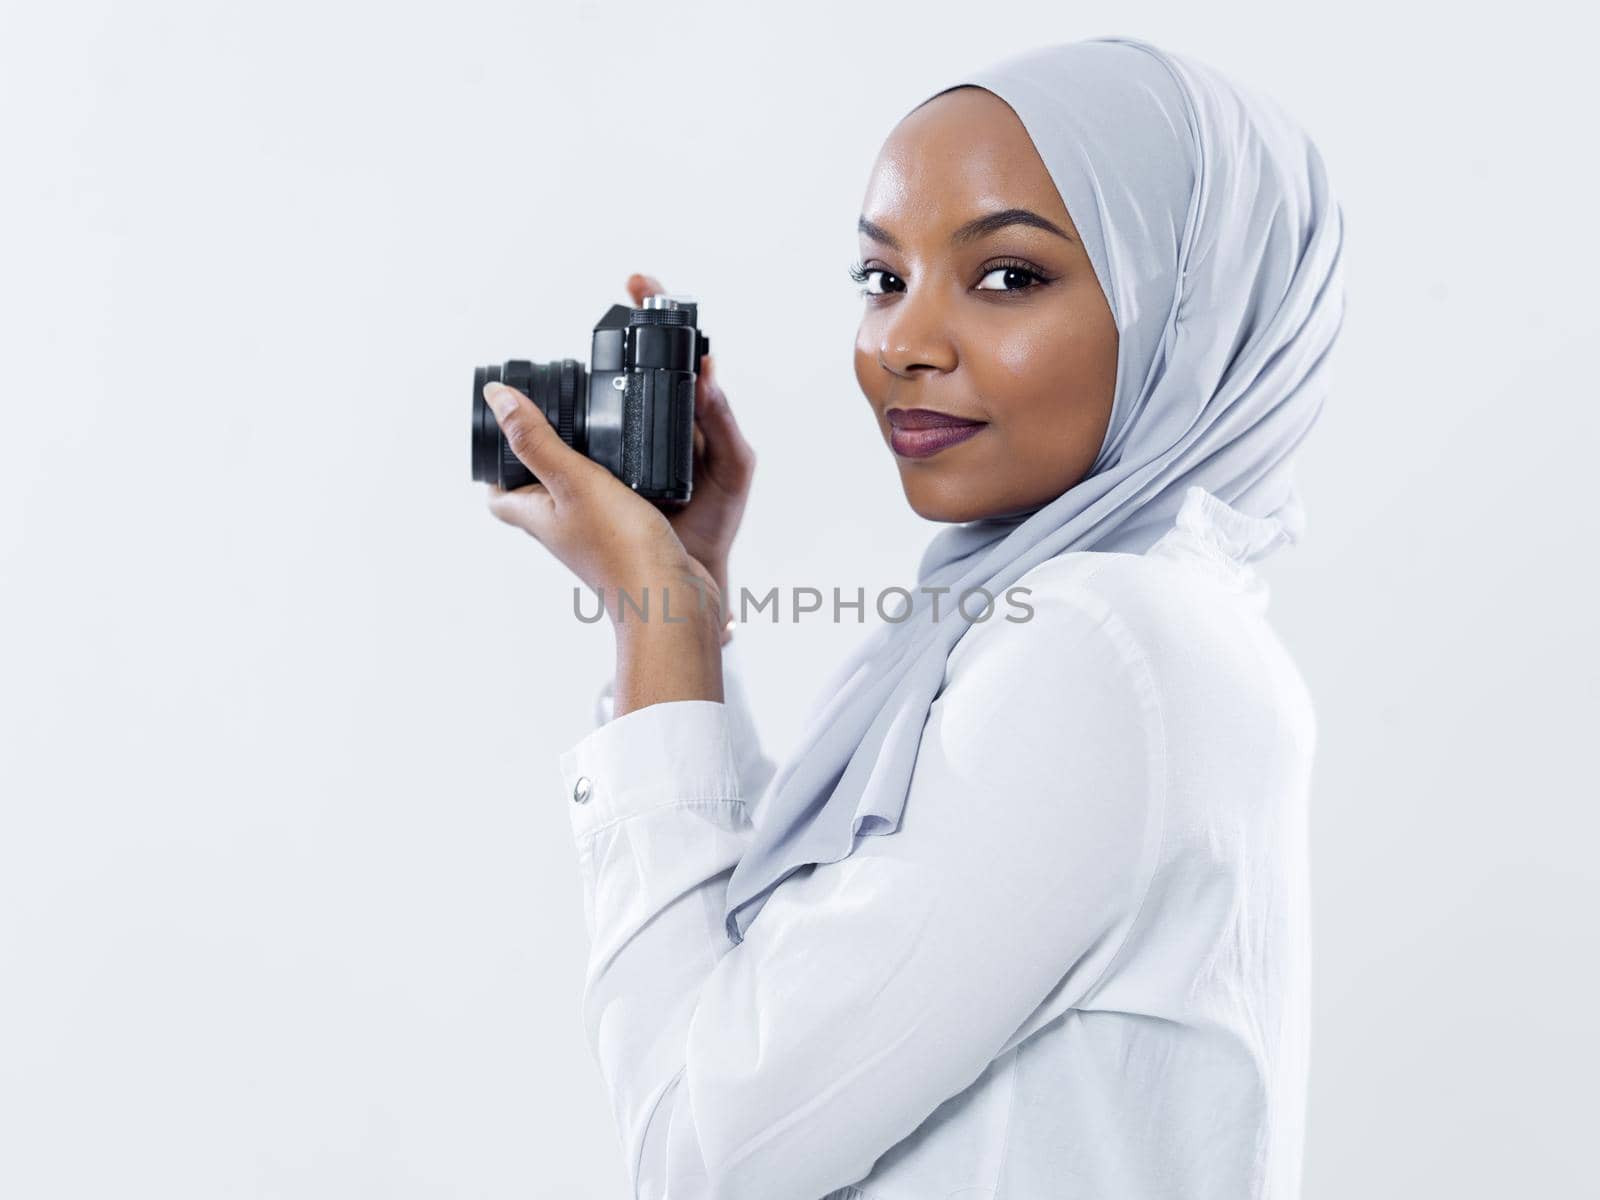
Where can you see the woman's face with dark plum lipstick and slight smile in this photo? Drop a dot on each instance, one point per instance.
(974, 314)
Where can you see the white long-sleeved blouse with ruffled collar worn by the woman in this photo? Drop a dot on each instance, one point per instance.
(1081, 966)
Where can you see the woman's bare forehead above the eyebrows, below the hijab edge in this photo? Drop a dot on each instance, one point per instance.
(961, 154)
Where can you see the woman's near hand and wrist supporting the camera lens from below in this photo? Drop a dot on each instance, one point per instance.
(620, 545)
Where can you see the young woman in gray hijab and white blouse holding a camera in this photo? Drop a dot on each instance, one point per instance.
(1026, 914)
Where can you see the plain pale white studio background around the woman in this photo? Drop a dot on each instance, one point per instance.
(289, 903)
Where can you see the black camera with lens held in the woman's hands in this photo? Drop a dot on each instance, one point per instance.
(631, 410)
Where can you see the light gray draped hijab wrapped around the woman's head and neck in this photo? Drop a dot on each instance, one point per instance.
(1217, 241)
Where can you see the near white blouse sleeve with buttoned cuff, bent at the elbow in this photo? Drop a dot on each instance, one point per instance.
(871, 990)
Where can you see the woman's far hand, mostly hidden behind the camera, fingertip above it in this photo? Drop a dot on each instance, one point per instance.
(724, 468)
